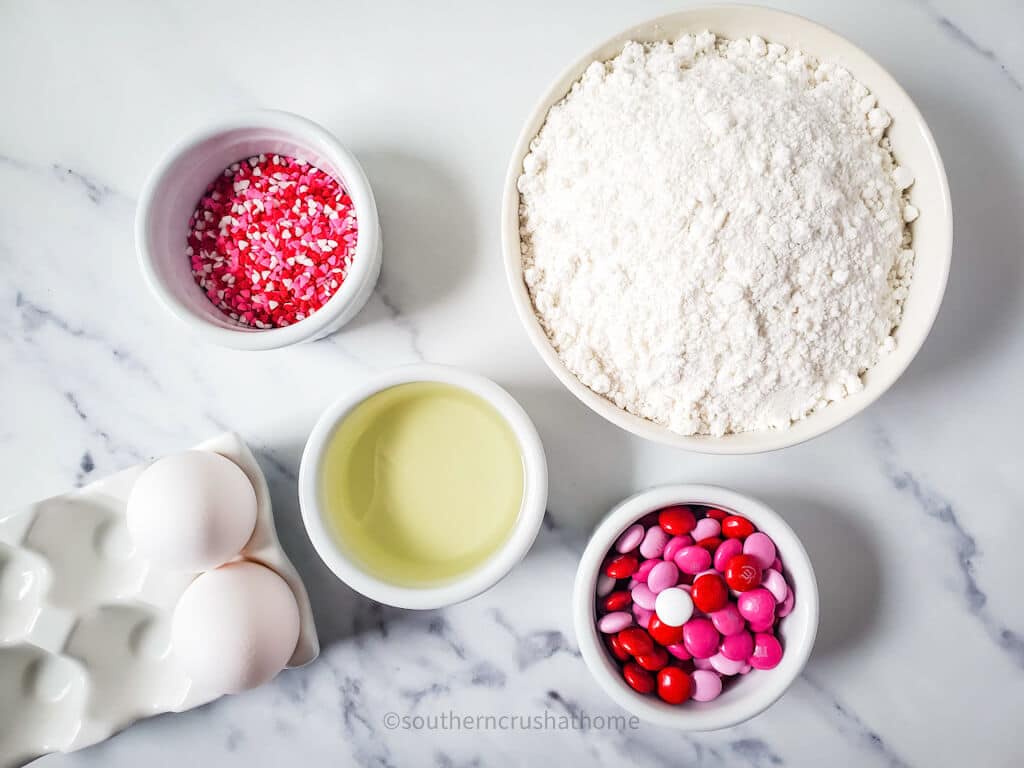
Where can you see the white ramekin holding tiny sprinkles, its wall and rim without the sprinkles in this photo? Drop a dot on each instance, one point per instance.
(170, 195)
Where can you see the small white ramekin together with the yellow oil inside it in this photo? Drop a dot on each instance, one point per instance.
(423, 487)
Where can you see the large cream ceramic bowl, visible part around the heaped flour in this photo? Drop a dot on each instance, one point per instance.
(913, 147)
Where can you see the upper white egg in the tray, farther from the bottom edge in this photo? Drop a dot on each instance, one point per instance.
(192, 511)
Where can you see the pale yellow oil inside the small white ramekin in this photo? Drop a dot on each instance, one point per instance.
(422, 483)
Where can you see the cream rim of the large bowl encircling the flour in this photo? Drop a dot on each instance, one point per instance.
(764, 441)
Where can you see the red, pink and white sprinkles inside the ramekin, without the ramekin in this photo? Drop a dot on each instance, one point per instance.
(272, 240)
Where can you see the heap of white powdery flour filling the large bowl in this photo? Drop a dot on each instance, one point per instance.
(713, 233)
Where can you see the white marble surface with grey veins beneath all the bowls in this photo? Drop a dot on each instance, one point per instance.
(912, 513)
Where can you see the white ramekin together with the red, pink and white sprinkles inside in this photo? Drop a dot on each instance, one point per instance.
(260, 233)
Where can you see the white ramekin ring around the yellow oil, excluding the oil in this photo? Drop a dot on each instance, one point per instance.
(535, 497)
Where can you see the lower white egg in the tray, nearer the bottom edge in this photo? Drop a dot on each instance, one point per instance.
(235, 628)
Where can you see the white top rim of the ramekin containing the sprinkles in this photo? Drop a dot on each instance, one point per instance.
(365, 263)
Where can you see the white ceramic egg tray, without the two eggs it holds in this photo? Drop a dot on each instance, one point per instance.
(86, 622)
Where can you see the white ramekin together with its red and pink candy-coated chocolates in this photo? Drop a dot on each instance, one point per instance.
(696, 608)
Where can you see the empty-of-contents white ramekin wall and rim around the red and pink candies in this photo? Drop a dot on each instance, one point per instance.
(742, 699)
